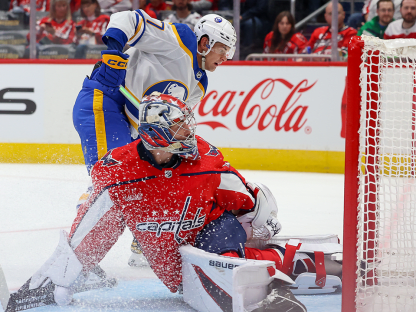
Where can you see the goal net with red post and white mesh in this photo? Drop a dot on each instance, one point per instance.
(380, 184)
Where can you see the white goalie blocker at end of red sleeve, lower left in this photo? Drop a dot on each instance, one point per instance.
(62, 268)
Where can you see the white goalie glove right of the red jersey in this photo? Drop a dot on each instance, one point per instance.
(262, 222)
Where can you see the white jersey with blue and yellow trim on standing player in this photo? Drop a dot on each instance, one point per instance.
(163, 58)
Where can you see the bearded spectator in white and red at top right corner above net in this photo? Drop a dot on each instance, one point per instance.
(404, 27)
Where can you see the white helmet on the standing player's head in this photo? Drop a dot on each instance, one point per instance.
(218, 29)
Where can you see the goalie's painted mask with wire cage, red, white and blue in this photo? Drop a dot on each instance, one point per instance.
(168, 124)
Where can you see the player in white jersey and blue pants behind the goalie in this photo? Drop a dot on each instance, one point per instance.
(163, 57)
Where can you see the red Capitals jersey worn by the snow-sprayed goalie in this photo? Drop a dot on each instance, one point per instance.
(163, 207)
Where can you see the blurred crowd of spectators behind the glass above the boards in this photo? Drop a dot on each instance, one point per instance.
(266, 26)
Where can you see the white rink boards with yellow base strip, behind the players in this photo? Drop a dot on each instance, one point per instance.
(262, 115)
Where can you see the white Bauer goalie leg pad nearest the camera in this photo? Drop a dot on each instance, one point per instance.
(216, 283)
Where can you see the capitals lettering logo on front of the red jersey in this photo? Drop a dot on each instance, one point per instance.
(174, 226)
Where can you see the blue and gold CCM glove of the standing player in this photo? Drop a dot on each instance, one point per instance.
(113, 69)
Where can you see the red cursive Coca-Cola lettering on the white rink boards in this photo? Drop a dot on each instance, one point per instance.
(283, 110)
